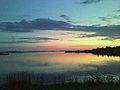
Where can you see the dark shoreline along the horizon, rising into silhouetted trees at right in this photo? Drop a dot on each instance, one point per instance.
(109, 51)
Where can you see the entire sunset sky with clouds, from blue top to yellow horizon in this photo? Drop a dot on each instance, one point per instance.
(59, 24)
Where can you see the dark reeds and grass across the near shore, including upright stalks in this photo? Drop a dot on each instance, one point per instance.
(28, 81)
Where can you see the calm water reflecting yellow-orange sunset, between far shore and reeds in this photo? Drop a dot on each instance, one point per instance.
(59, 62)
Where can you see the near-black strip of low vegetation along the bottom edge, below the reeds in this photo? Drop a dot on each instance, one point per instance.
(69, 86)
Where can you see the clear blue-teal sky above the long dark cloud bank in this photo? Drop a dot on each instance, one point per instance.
(76, 10)
